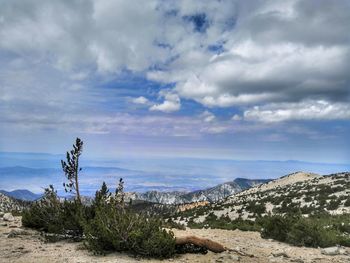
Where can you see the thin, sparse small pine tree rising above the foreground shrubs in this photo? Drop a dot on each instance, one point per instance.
(71, 169)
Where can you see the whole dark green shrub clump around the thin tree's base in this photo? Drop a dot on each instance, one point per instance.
(106, 225)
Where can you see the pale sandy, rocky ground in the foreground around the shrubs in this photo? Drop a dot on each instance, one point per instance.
(28, 246)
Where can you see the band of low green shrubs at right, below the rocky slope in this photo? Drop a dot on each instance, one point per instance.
(321, 230)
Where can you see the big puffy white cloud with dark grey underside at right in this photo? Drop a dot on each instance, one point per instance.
(251, 74)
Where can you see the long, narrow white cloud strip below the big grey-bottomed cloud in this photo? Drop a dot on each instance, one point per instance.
(306, 110)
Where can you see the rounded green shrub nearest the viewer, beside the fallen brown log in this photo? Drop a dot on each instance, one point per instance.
(116, 229)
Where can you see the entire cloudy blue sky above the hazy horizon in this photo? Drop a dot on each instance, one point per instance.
(241, 80)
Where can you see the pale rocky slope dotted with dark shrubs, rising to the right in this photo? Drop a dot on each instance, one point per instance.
(304, 192)
